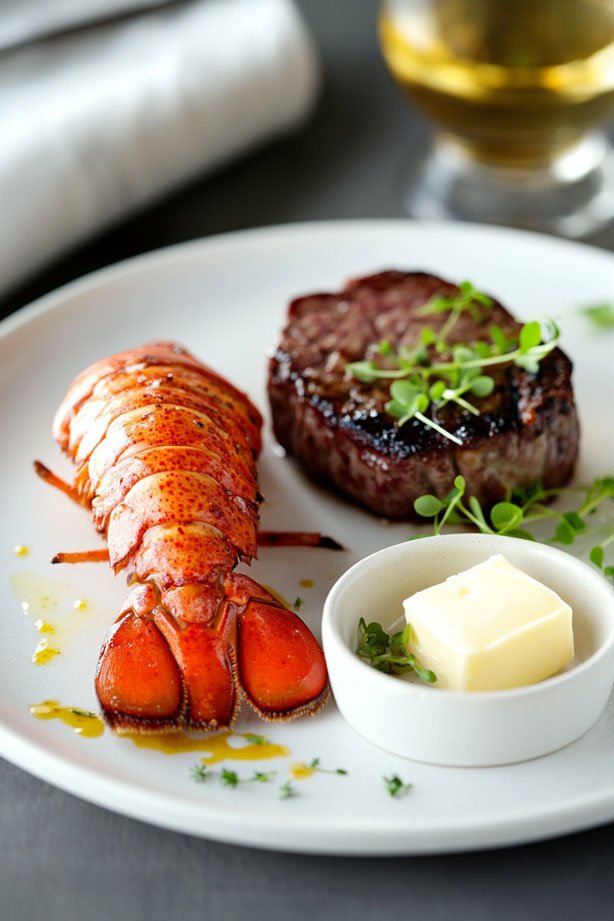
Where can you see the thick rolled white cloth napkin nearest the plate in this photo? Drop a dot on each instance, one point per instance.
(97, 122)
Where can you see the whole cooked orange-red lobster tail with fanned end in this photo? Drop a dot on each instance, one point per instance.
(165, 453)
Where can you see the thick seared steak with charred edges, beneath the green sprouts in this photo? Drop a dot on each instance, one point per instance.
(339, 429)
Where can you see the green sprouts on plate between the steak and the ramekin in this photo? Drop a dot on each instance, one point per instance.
(526, 506)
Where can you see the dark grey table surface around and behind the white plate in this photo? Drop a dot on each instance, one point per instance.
(63, 859)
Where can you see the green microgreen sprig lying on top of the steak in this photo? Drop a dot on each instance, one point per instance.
(436, 372)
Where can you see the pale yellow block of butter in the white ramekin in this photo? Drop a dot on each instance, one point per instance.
(490, 627)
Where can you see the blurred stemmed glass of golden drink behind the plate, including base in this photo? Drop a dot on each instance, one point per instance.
(517, 91)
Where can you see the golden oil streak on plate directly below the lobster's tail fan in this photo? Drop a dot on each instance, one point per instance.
(217, 747)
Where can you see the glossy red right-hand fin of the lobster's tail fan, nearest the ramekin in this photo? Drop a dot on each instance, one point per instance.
(281, 666)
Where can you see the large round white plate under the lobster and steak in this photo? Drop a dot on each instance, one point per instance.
(226, 299)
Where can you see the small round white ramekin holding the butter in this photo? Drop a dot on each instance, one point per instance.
(460, 728)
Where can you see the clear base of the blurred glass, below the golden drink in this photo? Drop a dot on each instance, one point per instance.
(572, 196)
